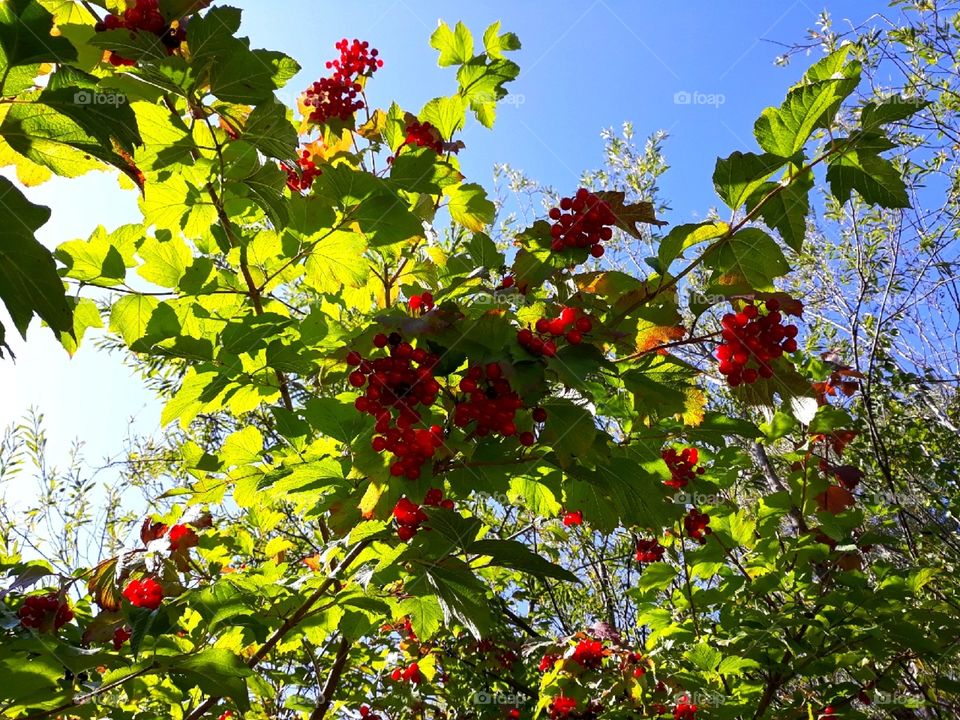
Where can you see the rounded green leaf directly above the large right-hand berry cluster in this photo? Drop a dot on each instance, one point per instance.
(750, 256)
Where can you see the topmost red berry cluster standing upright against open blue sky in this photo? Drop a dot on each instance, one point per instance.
(337, 97)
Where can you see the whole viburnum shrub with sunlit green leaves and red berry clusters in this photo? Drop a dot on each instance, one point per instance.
(388, 412)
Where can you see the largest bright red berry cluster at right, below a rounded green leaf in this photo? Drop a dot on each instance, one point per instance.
(752, 340)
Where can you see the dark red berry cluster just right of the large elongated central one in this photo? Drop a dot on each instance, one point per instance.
(490, 403)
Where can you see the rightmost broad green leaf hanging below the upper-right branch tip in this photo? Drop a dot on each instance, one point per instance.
(876, 179)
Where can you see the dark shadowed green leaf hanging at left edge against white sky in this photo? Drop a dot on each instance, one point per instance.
(29, 283)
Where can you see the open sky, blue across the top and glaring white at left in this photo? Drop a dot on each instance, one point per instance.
(586, 65)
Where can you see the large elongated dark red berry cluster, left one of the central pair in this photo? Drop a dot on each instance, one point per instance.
(395, 387)
